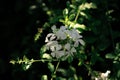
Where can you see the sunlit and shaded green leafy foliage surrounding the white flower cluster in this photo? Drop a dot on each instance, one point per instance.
(94, 21)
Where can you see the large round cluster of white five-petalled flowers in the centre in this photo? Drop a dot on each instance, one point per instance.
(63, 41)
